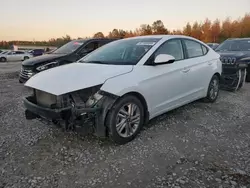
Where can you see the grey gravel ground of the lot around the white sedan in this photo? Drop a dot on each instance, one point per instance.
(198, 145)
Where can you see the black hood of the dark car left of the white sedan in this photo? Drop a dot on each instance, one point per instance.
(42, 58)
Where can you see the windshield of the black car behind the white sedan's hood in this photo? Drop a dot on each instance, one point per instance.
(69, 47)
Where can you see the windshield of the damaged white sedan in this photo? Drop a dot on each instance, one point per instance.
(121, 52)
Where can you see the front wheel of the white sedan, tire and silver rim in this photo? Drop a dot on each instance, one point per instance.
(125, 119)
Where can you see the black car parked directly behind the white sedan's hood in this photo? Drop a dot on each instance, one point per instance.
(68, 53)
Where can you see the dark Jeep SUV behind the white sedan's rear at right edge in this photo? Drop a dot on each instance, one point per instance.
(235, 58)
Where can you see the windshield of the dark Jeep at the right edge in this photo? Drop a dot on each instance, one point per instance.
(234, 45)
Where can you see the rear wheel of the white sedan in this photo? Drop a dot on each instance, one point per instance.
(213, 87)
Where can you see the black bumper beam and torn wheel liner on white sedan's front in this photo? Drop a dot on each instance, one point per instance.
(80, 115)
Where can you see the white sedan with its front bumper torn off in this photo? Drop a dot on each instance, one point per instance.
(122, 85)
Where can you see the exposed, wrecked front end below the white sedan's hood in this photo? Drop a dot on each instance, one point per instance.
(73, 110)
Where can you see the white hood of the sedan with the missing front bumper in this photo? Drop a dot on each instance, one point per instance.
(76, 76)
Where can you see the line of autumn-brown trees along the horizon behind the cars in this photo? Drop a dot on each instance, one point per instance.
(207, 31)
